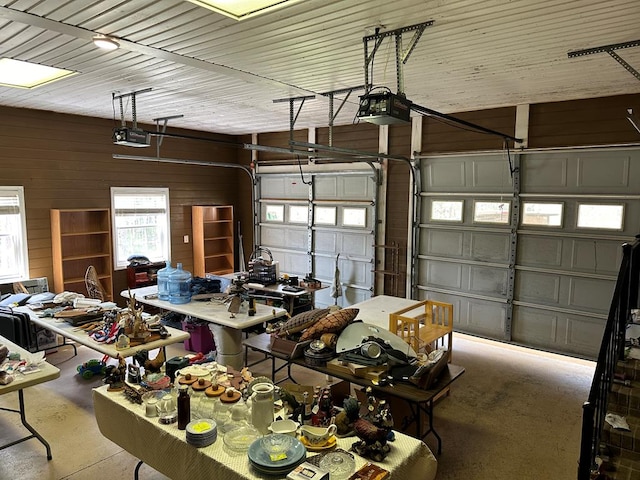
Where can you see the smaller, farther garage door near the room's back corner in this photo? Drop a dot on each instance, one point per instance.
(310, 225)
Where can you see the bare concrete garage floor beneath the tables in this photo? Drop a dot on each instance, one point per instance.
(514, 414)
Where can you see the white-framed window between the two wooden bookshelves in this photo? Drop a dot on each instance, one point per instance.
(140, 219)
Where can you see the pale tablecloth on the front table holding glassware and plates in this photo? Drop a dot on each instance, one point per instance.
(164, 448)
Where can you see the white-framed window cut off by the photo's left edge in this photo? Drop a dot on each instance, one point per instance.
(14, 261)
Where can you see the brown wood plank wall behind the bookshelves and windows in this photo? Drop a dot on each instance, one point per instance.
(65, 161)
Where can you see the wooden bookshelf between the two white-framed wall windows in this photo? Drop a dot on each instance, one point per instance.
(79, 238)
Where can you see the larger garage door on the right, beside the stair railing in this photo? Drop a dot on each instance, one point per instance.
(529, 258)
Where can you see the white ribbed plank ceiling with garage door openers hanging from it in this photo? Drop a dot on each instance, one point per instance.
(223, 75)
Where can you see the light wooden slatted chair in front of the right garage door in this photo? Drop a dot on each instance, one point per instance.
(427, 329)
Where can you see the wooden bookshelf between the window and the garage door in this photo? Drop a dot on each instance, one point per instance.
(213, 240)
